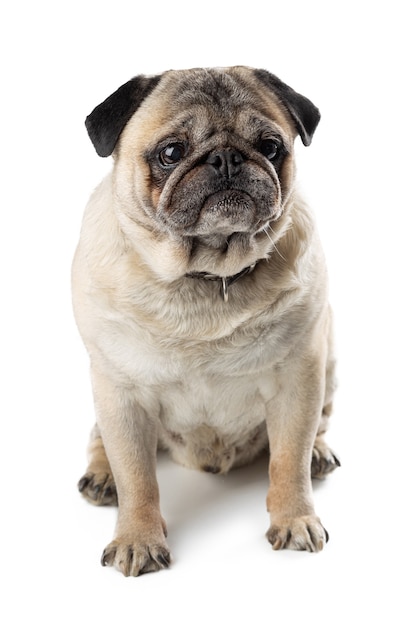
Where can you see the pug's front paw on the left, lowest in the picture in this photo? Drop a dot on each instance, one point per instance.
(134, 558)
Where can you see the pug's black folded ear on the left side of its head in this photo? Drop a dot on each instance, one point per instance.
(107, 120)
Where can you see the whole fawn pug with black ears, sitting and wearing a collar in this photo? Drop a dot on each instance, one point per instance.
(200, 291)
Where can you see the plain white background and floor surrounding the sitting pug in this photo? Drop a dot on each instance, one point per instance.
(356, 61)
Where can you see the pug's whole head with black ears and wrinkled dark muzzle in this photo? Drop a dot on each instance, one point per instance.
(205, 157)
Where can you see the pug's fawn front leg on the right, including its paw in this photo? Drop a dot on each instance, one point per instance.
(292, 427)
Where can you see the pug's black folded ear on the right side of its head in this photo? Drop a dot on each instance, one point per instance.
(303, 112)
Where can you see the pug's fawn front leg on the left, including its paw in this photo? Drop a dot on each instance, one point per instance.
(130, 441)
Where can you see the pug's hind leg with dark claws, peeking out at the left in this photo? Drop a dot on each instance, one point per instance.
(97, 485)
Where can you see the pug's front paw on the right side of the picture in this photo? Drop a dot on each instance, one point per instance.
(300, 533)
